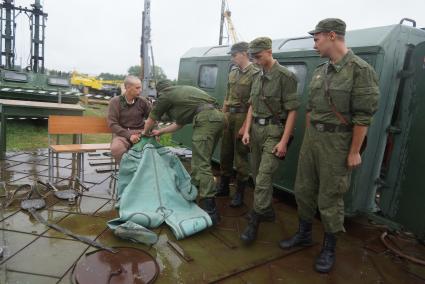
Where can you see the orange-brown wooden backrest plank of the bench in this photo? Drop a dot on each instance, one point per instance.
(59, 124)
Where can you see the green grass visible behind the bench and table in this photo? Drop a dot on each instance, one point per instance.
(23, 135)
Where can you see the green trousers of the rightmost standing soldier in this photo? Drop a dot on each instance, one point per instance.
(323, 177)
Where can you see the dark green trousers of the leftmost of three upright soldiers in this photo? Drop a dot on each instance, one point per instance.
(232, 148)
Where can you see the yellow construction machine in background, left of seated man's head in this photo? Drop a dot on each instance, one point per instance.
(96, 86)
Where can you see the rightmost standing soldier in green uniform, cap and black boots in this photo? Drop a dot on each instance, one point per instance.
(343, 98)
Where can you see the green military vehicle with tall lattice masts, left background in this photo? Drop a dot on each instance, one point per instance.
(32, 83)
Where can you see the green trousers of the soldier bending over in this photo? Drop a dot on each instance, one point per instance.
(207, 128)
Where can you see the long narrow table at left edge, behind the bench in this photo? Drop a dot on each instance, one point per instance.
(17, 108)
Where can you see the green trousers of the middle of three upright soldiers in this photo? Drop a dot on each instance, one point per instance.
(264, 163)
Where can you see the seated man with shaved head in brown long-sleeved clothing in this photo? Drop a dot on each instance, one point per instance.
(126, 117)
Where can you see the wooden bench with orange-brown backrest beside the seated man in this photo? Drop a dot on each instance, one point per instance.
(76, 126)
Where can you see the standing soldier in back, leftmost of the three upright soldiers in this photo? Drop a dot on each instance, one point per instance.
(235, 107)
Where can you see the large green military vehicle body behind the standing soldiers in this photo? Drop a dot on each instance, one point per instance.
(388, 184)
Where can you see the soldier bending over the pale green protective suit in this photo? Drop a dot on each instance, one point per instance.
(185, 105)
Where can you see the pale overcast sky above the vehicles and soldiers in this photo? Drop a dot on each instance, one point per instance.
(95, 36)
